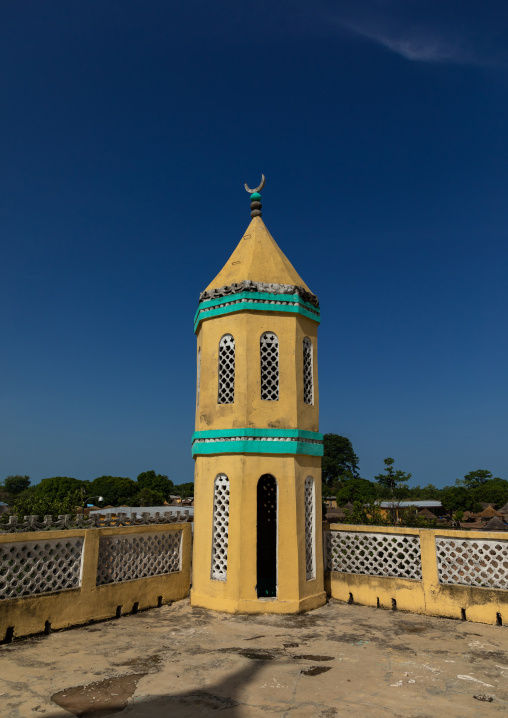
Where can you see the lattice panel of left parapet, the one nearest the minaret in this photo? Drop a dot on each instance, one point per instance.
(125, 558)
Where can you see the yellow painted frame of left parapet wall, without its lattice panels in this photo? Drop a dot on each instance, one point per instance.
(75, 606)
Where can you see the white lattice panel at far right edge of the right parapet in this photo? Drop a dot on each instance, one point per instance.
(472, 562)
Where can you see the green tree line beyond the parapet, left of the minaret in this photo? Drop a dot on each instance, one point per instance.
(64, 494)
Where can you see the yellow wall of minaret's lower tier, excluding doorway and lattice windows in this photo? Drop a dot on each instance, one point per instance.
(238, 592)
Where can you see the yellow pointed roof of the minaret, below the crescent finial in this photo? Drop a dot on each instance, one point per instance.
(257, 258)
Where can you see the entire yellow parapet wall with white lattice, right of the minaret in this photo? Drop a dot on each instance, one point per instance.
(453, 573)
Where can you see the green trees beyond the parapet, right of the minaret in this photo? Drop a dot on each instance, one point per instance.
(341, 478)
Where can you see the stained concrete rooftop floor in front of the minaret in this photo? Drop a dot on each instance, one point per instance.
(339, 660)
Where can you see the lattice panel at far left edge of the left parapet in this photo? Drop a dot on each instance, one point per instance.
(31, 567)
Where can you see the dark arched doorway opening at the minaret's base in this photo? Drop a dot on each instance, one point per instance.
(267, 537)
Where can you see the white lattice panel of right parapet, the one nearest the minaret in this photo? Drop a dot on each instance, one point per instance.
(374, 554)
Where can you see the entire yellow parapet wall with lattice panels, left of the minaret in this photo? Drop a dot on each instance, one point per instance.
(57, 579)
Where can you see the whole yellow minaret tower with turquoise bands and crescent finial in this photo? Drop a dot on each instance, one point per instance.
(257, 450)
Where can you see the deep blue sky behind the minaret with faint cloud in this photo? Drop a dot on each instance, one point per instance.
(127, 131)
